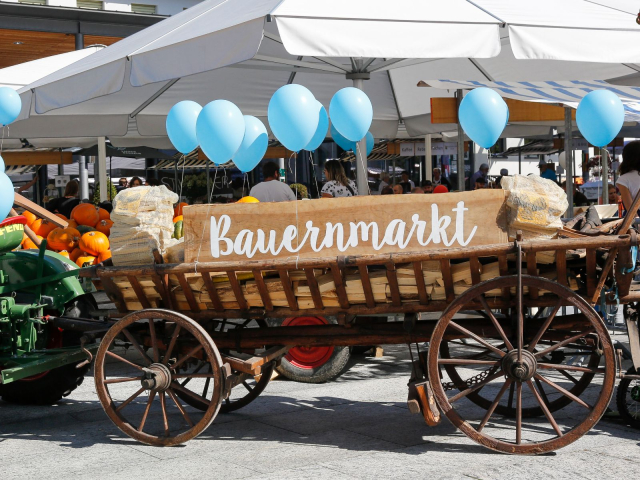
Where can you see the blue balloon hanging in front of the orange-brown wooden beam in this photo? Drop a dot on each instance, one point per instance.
(483, 115)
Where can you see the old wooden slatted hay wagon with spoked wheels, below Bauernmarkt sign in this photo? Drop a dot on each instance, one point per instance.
(517, 347)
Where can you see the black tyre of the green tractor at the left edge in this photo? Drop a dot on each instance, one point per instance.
(49, 387)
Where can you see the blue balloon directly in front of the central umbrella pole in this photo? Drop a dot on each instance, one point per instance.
(352, 113)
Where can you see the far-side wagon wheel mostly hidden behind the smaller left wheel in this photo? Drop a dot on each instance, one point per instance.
(249, 388)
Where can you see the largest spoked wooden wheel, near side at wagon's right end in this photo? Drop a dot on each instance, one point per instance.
(522, 377)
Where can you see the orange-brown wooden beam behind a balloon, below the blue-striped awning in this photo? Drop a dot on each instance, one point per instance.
(443, 110)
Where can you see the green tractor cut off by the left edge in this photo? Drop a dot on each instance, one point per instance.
(45, 345)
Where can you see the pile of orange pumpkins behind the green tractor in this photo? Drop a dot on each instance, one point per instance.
(84, 241)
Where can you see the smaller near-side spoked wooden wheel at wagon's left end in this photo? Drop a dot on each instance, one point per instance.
(140, 393)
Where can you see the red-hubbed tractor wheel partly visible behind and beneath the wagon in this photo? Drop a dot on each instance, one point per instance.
(311, 364)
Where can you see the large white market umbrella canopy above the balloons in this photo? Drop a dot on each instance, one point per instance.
(243, 50)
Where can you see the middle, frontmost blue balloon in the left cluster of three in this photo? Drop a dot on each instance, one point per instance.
(220, 130)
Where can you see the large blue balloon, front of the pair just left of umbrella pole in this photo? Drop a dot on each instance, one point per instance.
(293, 116)
